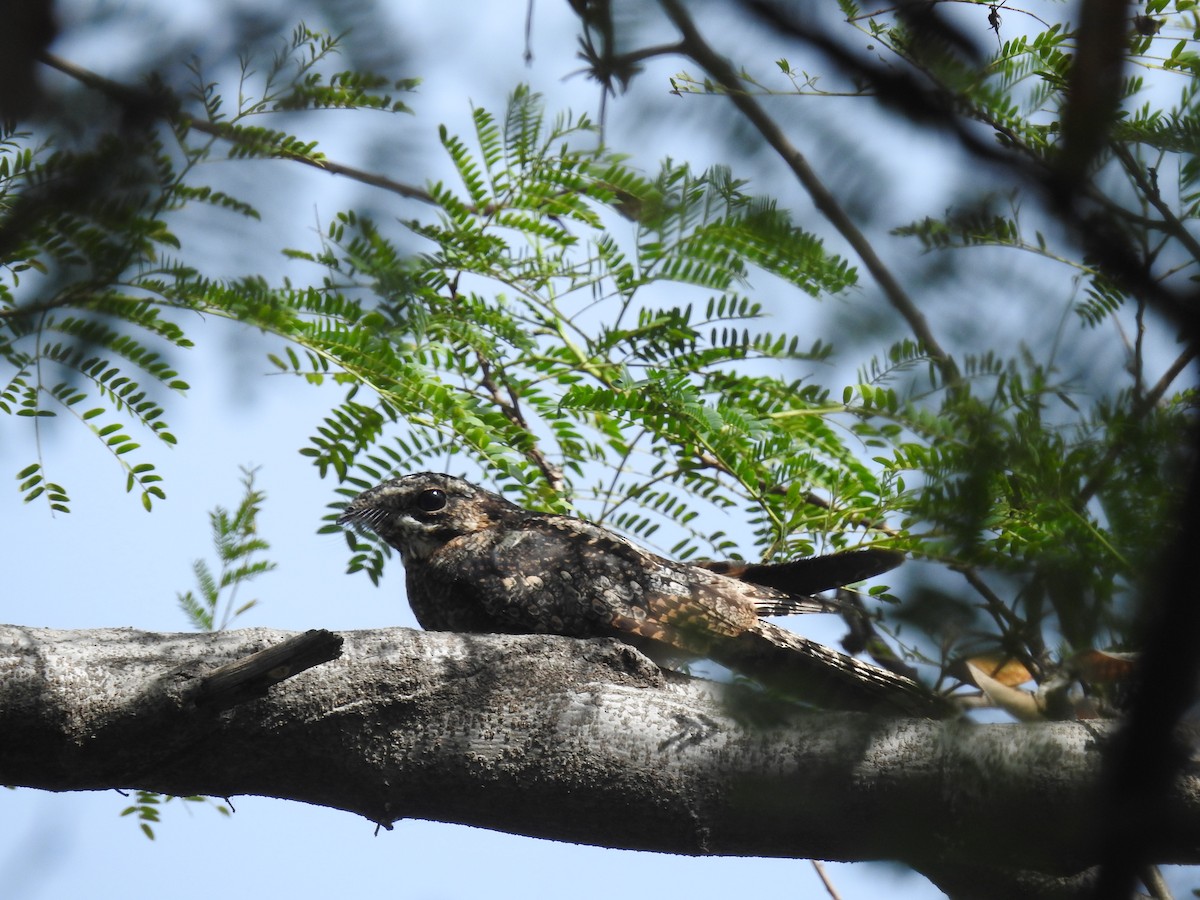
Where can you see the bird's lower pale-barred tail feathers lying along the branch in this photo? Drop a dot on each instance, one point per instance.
(823, 676)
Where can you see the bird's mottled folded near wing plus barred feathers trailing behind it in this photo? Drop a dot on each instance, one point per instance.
(591, 583)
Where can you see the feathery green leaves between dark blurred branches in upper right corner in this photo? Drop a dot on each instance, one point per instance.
(1147, 170)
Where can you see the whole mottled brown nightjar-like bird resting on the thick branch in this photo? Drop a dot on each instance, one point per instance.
(478, 563)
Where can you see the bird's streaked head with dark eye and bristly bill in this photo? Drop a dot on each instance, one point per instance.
(421, 514)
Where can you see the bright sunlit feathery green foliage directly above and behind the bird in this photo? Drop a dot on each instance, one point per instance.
(578, 331)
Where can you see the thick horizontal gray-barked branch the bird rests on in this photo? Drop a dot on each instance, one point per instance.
(578, 741)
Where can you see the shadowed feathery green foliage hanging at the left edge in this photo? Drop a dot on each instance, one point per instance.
(92, 290)
